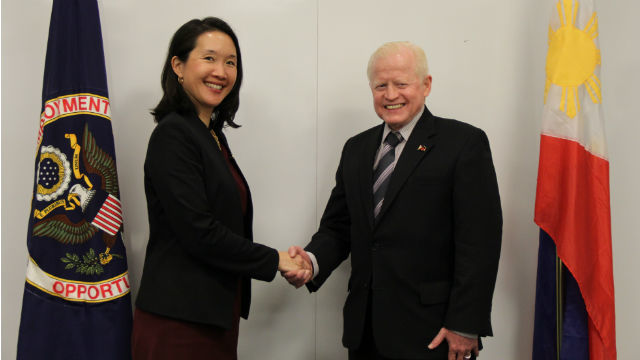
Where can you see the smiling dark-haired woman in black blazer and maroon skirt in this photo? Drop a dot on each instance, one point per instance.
(200, 256)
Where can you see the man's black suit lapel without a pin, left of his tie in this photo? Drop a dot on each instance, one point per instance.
(370, 148)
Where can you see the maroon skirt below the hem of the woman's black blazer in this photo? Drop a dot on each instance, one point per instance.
(157, 337)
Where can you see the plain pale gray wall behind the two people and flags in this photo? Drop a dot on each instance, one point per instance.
(305, 93)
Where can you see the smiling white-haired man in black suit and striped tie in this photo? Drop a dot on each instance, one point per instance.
(416, 204)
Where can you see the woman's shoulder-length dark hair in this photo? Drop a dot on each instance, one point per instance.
(174, 98)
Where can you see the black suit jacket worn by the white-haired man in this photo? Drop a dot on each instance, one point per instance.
(430, 259)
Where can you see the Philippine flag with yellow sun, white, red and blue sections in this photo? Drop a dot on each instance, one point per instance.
(572, 199)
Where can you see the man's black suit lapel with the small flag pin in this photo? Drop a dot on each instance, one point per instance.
(419, 144)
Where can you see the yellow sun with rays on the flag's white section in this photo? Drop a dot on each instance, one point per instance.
(572, 58)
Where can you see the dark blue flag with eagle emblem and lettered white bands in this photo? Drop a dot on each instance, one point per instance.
(77, 302)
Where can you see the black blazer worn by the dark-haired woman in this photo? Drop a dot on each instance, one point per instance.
(200, 244)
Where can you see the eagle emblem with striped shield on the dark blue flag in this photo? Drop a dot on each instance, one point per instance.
(93, 193)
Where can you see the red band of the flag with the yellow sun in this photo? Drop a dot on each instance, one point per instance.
(572, 206)
